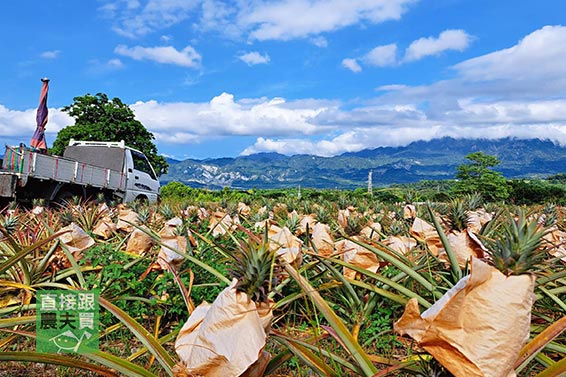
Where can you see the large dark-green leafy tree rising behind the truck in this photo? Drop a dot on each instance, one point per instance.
(98, 118)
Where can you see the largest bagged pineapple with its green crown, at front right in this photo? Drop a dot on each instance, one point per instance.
(484, 320)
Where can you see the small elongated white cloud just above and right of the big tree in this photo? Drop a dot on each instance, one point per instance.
(187, 57)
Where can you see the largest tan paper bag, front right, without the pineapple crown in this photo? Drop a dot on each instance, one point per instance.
(479, 326)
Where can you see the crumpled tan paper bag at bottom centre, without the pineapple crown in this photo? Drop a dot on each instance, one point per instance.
(223, 339)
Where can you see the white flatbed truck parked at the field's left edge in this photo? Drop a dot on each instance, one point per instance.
(86, 169)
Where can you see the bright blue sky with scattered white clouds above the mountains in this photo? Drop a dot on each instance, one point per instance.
(223, 78)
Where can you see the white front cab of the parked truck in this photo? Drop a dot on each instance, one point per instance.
(142, 181)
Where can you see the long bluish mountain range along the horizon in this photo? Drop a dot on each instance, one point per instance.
(436, 159)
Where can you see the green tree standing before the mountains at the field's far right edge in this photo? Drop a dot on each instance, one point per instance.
(477, 176)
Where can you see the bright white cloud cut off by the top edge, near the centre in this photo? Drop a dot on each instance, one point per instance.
(289, 19)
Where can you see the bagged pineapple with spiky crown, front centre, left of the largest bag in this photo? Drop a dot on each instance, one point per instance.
(228, 337)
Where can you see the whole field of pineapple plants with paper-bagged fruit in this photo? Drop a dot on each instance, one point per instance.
(270, 284)
